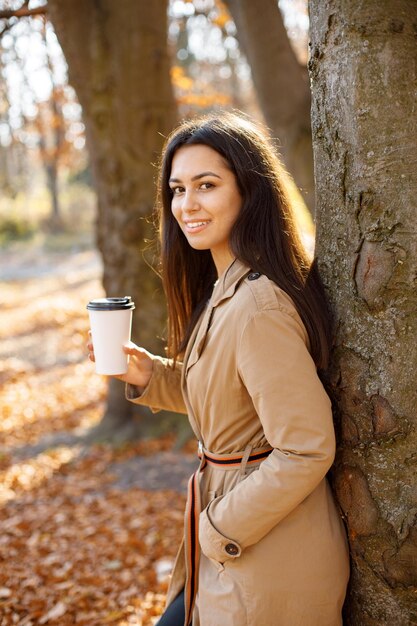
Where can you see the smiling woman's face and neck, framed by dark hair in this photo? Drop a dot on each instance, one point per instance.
(206, 200)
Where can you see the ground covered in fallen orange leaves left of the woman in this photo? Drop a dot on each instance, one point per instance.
(81, 540)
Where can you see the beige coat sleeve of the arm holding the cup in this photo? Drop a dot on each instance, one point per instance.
(163, 391)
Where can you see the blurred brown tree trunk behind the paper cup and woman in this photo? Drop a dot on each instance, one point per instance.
(118, 64)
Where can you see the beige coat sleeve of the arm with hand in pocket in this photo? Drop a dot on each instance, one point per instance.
(280, 376)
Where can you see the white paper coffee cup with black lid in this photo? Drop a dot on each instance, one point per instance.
(111, 325)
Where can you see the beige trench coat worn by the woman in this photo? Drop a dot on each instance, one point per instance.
(248, 378)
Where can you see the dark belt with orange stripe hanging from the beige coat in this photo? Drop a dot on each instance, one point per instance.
(250, 456)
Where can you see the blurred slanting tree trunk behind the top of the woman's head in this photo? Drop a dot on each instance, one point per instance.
(281, 85)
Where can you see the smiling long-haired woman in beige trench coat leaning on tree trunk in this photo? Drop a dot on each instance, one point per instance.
(263, 544)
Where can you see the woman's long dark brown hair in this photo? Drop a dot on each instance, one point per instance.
(264, 236)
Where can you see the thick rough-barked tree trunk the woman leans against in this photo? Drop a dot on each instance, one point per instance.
(363, 71)
